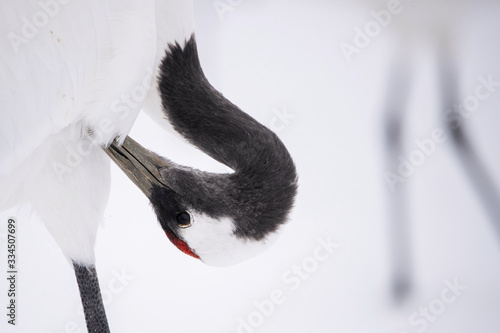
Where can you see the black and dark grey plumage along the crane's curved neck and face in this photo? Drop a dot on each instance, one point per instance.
(261, 191)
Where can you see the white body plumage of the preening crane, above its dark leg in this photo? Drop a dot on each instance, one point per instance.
(73, 76)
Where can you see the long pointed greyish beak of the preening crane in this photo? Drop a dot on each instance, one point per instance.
(139, 164)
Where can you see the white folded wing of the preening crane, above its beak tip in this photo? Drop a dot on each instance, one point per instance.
(78, 64)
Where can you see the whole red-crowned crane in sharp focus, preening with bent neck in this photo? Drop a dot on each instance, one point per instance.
(74, 76)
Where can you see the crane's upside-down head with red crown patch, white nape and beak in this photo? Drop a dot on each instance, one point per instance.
(221, 219)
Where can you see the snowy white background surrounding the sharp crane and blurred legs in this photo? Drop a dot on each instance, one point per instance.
(277, 56)
